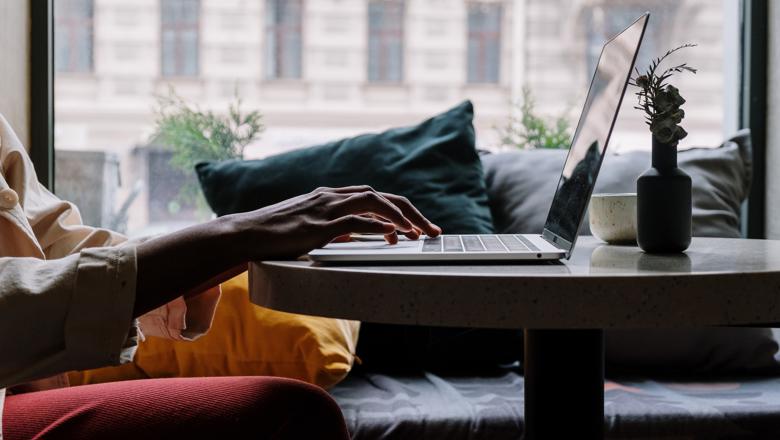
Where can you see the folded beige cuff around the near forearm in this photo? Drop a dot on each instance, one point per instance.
(100, 329)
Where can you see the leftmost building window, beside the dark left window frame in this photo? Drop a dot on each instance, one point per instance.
(74, 42)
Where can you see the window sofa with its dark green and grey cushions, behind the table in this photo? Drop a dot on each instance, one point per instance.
(417, 382)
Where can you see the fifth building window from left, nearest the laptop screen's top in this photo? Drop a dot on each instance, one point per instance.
(484, 45)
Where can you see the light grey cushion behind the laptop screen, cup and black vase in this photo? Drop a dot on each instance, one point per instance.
(521, 184)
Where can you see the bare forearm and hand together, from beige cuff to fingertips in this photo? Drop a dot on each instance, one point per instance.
(192, 258)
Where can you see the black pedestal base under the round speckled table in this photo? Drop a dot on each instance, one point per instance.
(564, 384)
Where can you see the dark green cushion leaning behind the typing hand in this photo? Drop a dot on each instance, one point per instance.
(434, 164)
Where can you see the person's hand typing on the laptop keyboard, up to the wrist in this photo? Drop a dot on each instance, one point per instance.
(295, 226)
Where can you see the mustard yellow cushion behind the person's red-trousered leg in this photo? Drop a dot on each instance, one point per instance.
(246, 340)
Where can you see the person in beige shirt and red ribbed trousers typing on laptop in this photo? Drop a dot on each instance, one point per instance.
(74, 297)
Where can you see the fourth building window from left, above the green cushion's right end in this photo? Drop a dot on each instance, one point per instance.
(386, 40)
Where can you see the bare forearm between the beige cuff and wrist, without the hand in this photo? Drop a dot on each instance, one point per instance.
(186, 262)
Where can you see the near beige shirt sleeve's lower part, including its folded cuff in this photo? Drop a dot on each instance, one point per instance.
(89, 295)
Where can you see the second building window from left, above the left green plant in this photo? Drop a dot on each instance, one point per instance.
(180, 34)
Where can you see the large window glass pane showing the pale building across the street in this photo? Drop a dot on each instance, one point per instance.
(369, 65)
